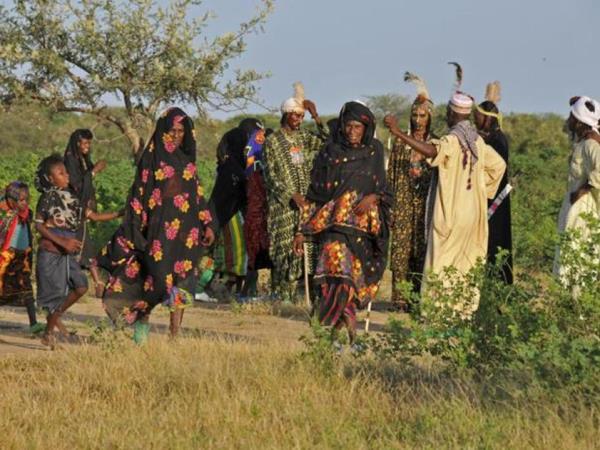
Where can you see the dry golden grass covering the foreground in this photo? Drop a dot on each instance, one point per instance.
(203, 393)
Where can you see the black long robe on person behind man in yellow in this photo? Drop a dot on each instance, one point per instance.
(500, 232)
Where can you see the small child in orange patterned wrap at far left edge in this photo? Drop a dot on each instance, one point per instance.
(15, 251)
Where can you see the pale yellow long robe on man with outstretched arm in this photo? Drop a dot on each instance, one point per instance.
(459, 233)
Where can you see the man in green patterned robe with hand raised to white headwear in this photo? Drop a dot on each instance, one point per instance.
(288, 157)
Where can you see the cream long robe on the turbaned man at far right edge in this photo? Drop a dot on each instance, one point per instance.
(584, 167)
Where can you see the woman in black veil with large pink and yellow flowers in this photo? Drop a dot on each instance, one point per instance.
(153, 255)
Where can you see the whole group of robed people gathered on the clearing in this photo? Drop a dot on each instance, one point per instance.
(323, 203)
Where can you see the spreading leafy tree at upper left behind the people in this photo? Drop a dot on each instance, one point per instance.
(73, 56)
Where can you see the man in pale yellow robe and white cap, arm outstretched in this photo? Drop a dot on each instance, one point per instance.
(469, 172)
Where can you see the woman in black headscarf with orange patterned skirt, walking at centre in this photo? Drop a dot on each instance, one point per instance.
(348, 212)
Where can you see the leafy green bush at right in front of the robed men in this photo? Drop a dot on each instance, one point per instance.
(544, 334)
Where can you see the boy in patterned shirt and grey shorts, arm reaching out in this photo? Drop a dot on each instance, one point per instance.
(60, 280)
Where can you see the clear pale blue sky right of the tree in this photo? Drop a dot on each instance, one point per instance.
(542, 51)
